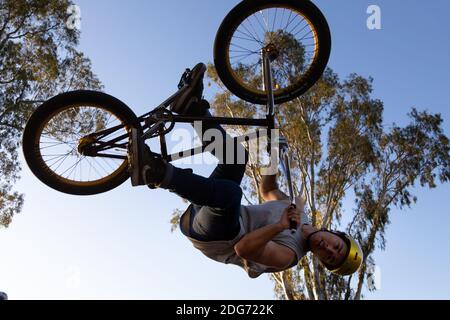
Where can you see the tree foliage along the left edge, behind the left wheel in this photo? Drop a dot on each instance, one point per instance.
(38, 59)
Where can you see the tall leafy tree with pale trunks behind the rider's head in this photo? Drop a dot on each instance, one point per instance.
(341, 147)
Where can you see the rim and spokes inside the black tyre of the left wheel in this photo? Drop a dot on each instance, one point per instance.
(58, 138)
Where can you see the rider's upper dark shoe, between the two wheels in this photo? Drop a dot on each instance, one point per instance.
(192, 84)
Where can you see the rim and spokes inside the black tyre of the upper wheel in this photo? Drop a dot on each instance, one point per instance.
(294, 36)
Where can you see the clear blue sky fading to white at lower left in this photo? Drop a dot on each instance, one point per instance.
(118, 245)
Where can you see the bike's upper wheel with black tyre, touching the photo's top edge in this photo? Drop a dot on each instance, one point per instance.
(298, 31)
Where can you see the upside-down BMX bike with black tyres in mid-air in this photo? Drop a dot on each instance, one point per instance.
(77, 142)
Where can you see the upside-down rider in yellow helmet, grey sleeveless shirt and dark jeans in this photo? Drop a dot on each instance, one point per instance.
(255, 237)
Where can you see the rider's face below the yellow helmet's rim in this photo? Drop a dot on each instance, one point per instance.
(330, 248)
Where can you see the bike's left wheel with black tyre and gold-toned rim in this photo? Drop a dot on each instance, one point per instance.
(58, 129)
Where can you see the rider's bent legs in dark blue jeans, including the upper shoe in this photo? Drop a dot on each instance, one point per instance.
(217, 199)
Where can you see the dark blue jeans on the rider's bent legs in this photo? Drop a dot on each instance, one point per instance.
(217, 199)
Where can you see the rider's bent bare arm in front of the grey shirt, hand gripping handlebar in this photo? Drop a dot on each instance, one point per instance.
(257, 246)
